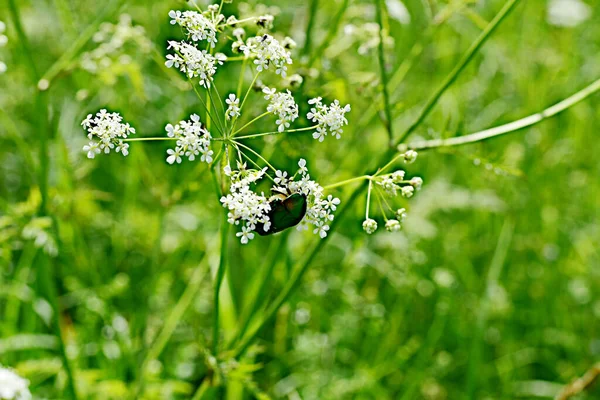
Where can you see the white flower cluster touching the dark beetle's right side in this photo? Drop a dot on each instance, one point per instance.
(319, 212)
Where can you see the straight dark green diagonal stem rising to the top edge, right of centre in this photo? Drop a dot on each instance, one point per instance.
(466, 59)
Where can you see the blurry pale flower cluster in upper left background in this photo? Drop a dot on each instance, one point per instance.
(111, 40)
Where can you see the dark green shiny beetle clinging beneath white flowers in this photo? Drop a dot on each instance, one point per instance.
(285, 213)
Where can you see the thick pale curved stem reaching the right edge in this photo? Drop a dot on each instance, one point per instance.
(512, 126)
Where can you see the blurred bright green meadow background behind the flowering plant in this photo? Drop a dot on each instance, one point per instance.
(490, 291)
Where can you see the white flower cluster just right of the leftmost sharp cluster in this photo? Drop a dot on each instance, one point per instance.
(192, 140)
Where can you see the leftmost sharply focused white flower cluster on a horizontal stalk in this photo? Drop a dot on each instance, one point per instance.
(109, 132)
